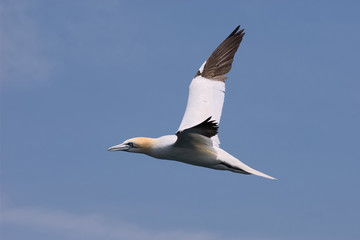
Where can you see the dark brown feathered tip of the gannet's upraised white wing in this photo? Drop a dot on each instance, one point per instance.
(220, 61)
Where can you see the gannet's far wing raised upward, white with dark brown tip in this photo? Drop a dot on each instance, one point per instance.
(207, 89)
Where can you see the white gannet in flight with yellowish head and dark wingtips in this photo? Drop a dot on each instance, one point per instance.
(196, 142)
